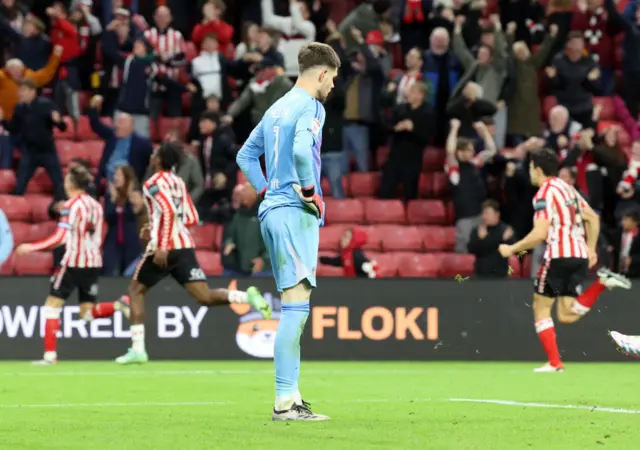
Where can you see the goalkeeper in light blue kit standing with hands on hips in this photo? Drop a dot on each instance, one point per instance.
(290, 135)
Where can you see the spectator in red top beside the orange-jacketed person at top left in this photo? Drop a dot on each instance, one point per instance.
(65, 34)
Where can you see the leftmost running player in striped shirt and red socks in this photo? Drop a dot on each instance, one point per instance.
(80, 230)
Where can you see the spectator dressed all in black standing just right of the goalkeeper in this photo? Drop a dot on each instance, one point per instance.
(411, 124)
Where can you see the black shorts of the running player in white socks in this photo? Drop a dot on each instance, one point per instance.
(182, 266)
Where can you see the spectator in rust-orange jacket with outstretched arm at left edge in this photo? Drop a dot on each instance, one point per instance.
(14, 73)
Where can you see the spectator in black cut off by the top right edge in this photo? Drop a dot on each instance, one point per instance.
(630, 23)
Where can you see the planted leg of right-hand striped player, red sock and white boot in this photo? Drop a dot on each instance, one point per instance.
(543, 299)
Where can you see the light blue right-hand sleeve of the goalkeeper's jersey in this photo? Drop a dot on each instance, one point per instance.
(308, 134)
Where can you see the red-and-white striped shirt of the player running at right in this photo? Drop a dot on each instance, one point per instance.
(561, 205)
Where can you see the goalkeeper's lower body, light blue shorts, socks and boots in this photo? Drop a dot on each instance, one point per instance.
(292, 237)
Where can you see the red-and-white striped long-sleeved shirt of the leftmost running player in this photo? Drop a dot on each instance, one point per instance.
(80, 230)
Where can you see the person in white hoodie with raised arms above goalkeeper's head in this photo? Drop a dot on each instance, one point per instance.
(297, 31)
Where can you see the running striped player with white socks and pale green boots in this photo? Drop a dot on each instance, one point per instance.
(171, 251)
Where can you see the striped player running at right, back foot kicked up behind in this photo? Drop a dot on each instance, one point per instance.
(562, 217)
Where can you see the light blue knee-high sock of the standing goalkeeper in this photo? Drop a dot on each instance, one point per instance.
(287, 352)
